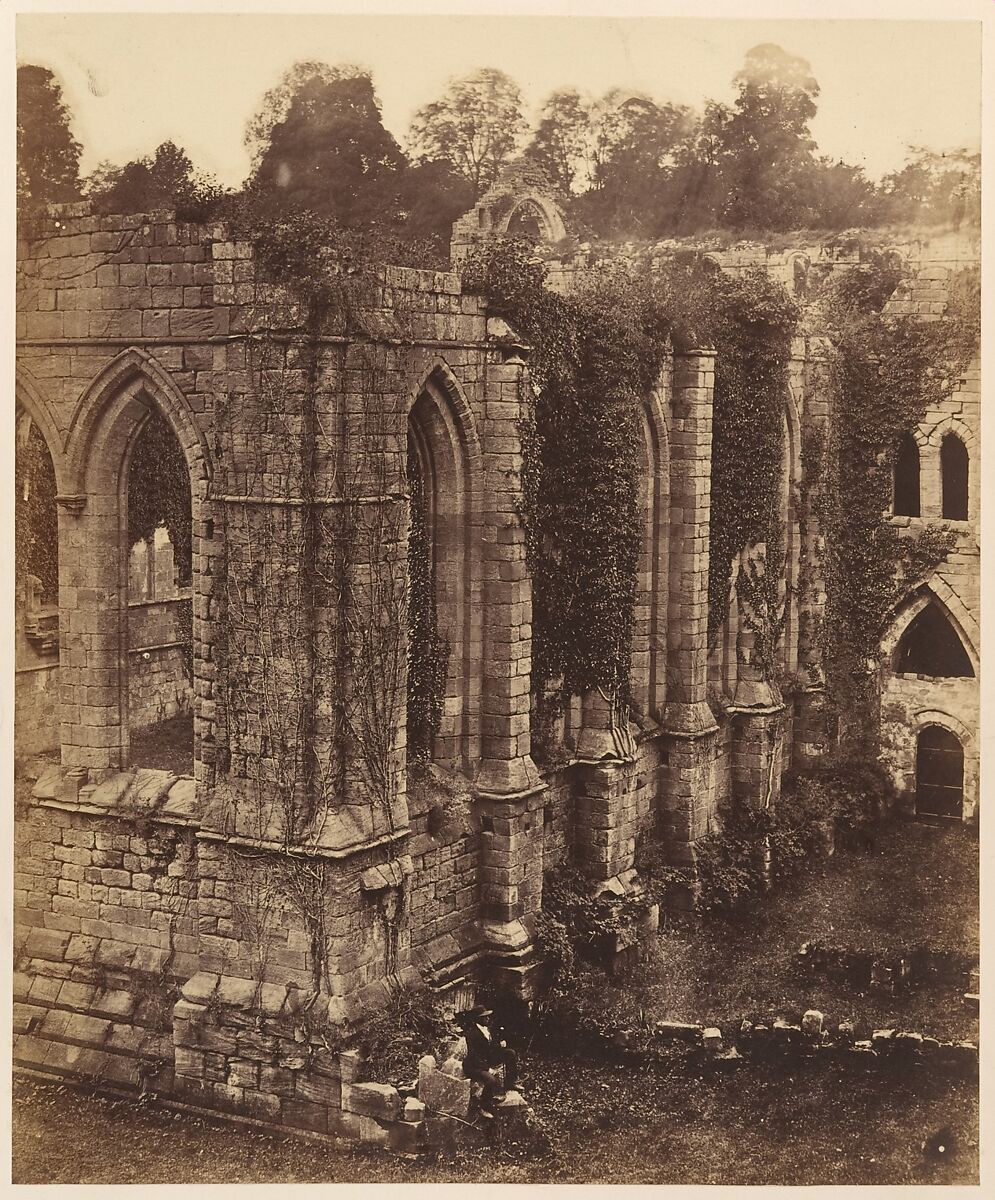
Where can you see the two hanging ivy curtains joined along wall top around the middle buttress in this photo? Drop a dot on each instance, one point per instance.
(597, 355)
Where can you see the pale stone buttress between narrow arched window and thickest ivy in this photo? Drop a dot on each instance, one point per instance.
(507, 785)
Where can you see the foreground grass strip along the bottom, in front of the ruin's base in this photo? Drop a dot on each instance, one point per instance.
(608, 1125)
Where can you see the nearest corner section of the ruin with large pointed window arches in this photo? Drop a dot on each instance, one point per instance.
(118, 316)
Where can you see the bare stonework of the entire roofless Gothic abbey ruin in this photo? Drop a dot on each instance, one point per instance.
(199, 934)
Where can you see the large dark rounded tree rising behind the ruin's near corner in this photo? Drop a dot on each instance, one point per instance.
(329, 152)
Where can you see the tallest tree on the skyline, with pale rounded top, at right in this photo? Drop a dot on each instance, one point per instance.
(769, 151)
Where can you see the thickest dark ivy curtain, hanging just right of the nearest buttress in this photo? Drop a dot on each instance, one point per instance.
(595, 356)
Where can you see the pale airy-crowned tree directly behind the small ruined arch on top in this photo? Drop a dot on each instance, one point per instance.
(476, 127)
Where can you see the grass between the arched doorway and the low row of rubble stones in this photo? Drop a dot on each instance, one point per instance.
(918, 884)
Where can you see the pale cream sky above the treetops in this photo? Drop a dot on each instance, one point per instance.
(135, 81)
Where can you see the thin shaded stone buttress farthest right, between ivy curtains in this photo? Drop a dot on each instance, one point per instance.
(810, 733)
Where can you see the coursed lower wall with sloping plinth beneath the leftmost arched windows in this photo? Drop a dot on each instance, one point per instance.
(106, 929)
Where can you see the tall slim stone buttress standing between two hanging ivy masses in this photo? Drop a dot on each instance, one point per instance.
(690, 728)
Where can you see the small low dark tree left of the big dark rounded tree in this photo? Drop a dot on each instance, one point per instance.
(167, 181)
